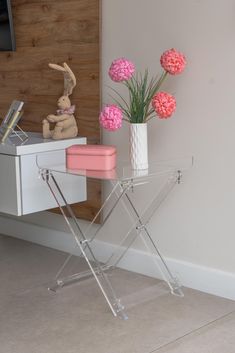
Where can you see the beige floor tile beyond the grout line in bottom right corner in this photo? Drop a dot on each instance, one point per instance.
(217, 337)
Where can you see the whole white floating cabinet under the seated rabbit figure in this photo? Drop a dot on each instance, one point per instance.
(22, 191)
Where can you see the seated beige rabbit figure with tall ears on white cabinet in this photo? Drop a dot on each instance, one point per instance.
(65, 123)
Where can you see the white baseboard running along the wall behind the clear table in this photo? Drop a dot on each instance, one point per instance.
(201, 278)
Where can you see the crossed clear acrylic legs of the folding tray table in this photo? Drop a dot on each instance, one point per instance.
(138, 228)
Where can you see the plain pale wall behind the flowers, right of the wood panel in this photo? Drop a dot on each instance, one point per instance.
(197, 223)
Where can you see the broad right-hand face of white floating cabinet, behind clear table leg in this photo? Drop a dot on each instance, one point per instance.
(35, 193)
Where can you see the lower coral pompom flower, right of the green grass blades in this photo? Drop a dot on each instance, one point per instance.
(164, 104)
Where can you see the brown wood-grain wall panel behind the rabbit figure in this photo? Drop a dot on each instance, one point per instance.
(55, 31)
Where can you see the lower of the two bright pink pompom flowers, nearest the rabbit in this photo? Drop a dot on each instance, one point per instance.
(111, 117)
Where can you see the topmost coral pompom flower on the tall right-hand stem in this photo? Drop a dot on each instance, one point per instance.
(173, 61)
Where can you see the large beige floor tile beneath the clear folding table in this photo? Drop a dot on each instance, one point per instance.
(77, 319)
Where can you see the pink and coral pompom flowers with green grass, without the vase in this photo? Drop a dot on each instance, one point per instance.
(145, 100)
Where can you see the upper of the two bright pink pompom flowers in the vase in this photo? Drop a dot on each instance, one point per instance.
(121, 70)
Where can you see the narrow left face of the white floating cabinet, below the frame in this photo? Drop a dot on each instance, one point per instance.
(10, 190)
